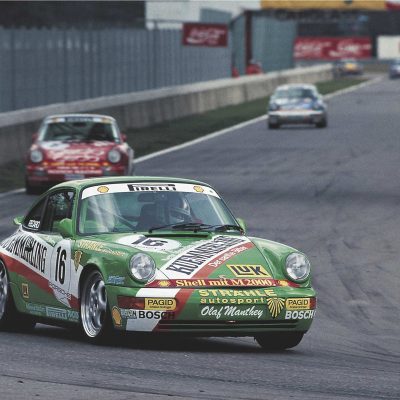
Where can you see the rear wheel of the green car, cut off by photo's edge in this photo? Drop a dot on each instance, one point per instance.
(10, 319)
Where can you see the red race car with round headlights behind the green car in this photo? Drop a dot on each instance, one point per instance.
(76, 146)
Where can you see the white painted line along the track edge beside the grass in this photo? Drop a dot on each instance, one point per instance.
(221, 132)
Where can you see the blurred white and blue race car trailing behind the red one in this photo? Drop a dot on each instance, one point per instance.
(297, 104)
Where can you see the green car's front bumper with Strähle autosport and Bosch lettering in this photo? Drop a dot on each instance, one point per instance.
(212, 311)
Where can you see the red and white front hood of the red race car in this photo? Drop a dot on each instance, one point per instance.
(93, 151)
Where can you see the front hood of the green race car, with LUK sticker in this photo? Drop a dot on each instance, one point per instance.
(181, 258)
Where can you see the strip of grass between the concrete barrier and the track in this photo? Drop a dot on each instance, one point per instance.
(168, 134)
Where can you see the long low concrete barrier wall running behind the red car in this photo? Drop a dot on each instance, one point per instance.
(141, 109)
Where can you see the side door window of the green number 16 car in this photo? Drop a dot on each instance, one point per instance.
(59, 206)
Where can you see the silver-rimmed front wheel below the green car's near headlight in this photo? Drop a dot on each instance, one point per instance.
(95, 318)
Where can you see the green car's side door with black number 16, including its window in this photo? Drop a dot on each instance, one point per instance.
(59, 206)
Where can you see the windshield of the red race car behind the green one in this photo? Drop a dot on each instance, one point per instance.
(80, 129)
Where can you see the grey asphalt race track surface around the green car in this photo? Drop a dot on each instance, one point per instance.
(334, 194)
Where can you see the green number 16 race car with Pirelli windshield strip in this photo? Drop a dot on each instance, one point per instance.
(142, 254)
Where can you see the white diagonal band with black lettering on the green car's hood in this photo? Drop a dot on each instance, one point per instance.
(194, 258)
